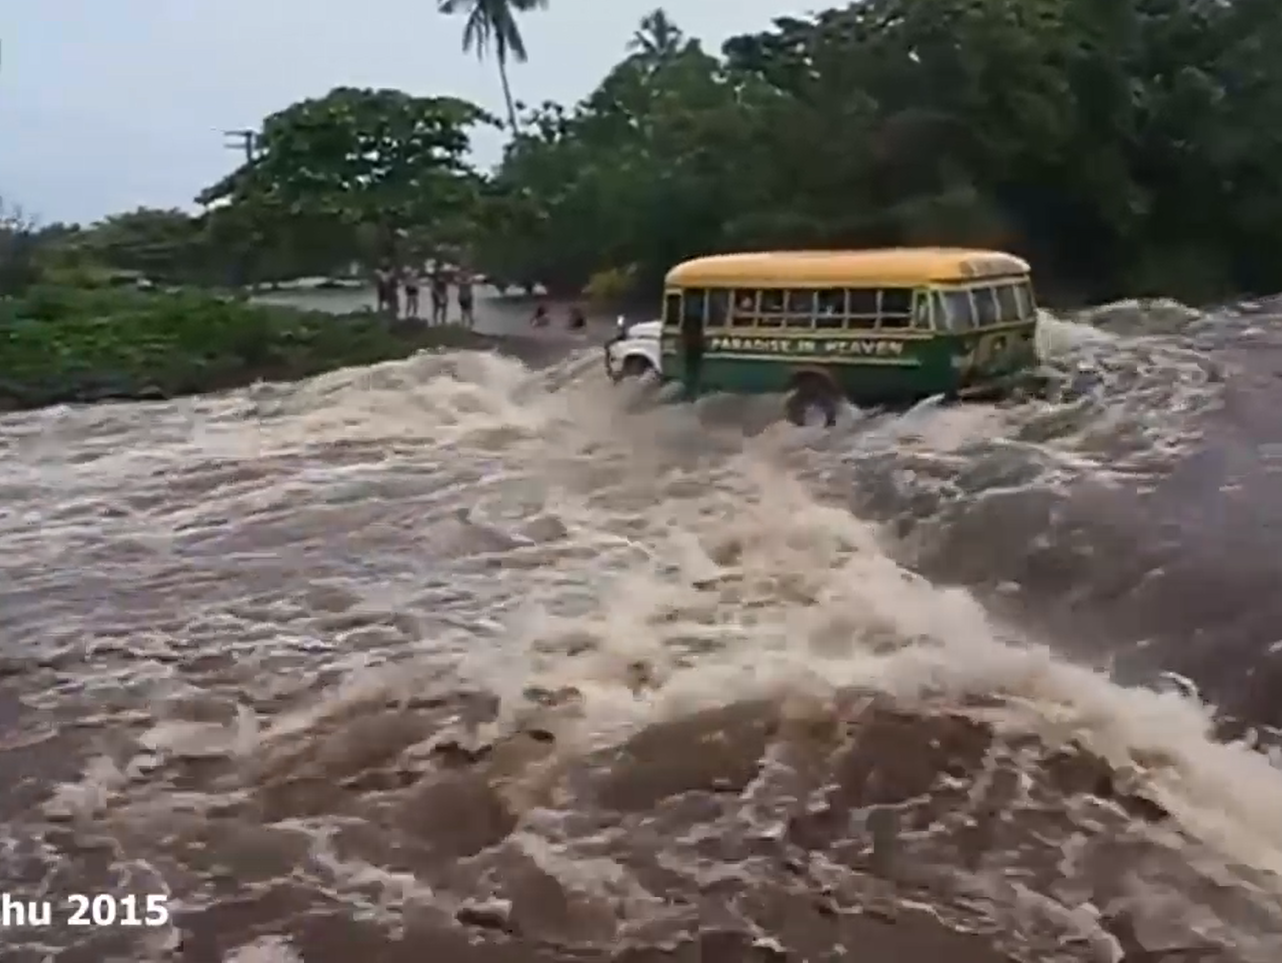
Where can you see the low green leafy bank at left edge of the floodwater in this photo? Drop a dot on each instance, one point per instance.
(65, 346)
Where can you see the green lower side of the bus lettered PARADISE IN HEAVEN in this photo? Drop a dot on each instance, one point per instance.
(871, 370)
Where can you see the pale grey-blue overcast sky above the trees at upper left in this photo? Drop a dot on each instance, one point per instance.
(112, 105)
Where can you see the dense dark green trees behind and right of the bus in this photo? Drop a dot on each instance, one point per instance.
(1124, 144)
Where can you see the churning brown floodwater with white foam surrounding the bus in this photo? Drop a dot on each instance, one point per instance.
(452, 660)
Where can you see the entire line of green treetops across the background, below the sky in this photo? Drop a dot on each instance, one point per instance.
(1126, 147)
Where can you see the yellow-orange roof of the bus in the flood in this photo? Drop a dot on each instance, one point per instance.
(897, 267)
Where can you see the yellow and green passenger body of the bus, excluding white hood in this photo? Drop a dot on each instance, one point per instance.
(878, 328)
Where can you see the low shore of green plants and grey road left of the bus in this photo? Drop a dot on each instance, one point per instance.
(76, 347)
